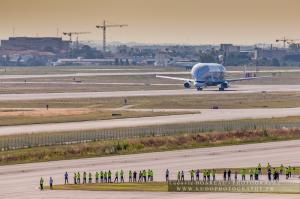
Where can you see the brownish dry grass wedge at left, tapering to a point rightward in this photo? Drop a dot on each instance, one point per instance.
(21, 117)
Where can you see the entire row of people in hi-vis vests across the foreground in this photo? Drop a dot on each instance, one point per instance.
(195, 175)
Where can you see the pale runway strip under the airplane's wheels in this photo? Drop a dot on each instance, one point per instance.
(233, 90)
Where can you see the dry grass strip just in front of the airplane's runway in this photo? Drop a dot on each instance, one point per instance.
(255, 100)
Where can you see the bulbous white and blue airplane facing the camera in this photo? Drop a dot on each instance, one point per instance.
(208, 74)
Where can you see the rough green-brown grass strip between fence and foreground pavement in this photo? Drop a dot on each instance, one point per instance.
(145, 144)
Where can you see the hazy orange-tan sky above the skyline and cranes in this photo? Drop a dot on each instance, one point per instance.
(156, 21)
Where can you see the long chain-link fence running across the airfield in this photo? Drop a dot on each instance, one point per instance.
(48, 139)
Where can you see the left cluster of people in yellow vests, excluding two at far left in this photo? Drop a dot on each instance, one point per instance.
(107, 177)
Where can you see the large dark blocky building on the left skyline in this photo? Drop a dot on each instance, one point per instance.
(43, 44)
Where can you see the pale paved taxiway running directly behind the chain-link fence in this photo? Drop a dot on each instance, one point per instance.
(205, 115)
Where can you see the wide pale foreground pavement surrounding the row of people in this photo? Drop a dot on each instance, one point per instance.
(21, 181)
